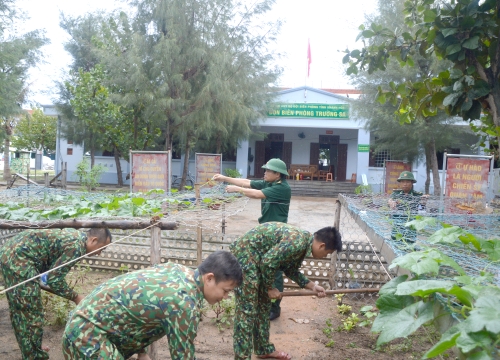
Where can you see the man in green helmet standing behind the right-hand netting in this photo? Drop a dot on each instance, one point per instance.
(406, 202)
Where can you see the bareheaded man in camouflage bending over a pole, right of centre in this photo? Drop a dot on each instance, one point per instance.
(261, 252)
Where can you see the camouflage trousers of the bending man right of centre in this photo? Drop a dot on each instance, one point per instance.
(251, 320)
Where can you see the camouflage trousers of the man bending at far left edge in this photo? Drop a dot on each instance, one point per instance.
(26, 313)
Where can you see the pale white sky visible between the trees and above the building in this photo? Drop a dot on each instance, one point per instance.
(329, 25)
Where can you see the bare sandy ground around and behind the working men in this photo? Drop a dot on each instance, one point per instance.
(300, 329)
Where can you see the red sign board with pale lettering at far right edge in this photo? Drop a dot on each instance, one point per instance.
(467, 178)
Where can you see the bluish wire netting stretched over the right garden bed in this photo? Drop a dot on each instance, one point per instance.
(388, 217)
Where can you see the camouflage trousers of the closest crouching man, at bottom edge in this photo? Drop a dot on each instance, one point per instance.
(83, 340)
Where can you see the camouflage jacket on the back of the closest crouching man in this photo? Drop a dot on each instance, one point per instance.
(135, 309)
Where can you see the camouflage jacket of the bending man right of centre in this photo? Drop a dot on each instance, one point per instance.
(275, 246)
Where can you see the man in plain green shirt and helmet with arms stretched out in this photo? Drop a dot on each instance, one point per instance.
(275, 194)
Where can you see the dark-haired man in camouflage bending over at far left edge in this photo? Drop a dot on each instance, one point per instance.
(34, 252)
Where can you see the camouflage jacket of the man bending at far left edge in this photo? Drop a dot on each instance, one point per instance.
(34, 252)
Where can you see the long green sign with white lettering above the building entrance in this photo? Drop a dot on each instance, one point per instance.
(316, 111)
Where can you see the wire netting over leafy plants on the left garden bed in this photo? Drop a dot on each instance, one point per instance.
(34, 204)
